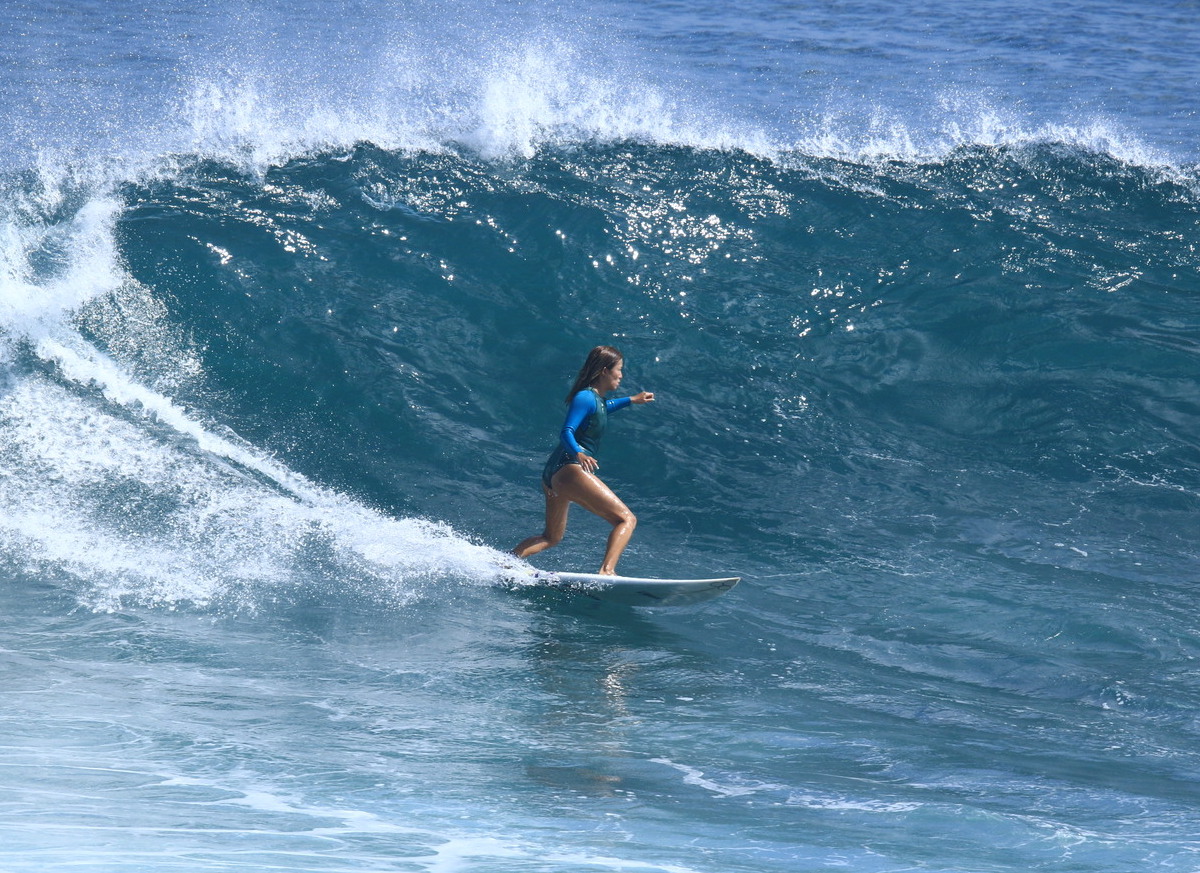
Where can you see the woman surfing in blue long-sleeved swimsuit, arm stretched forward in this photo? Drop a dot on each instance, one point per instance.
(569, 477)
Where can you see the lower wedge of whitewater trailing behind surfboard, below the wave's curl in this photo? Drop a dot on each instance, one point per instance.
(122, 504)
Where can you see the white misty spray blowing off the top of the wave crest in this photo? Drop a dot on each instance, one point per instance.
(506, 97)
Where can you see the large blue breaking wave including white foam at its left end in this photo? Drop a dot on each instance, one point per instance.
(225, 324)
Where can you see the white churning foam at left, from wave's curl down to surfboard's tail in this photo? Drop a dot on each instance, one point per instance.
(109, 480)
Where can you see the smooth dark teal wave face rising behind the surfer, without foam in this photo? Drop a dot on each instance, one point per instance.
(1009, 328)
